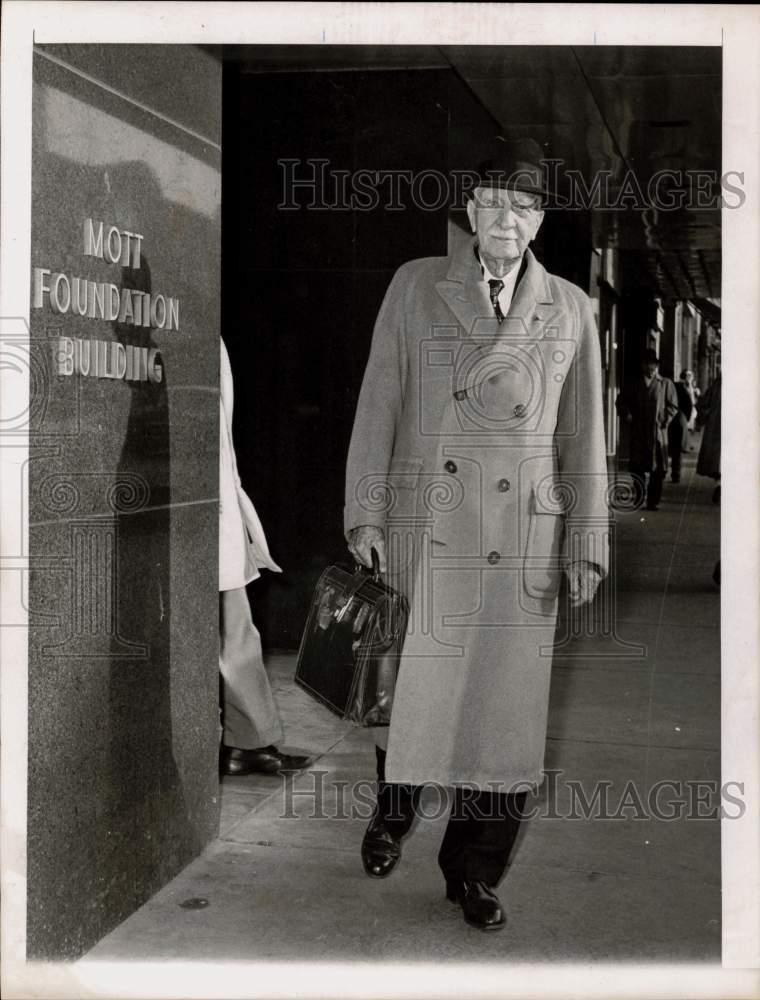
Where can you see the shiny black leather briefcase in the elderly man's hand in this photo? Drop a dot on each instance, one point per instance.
(350, 649)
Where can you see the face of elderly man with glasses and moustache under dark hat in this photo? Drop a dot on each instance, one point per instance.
(505, 221)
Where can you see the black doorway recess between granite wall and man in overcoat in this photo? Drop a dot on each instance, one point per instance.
(302, 286)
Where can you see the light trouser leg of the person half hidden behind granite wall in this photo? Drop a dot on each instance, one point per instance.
(250, 717)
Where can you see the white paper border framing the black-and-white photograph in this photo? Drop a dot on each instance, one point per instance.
(734, 27)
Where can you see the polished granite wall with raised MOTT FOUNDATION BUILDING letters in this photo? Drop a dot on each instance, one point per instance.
(122, 483)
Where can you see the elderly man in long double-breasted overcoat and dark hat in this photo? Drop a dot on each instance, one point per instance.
(477, 471)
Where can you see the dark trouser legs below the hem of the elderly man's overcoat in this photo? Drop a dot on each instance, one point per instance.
(480, 833)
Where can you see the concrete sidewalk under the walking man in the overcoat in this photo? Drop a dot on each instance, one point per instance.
(284, 880)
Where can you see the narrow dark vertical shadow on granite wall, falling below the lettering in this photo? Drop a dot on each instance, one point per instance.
(144, 779)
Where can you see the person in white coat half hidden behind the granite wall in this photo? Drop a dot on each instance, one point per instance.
(251, 723)
